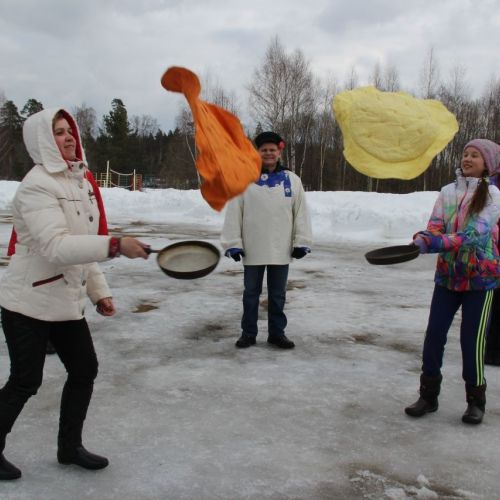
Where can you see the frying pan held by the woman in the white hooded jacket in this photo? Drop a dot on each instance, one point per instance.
(187, 260)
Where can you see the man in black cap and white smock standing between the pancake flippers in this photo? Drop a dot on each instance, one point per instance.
(266, 226)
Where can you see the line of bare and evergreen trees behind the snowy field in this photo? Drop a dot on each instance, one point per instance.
(284, 96)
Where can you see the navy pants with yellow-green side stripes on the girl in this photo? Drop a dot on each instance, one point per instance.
(476, 309)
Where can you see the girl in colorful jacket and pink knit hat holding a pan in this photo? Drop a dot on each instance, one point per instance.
(463, 230)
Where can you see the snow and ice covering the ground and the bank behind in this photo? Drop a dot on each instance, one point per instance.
(182, 414)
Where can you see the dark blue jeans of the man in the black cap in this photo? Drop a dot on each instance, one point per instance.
(277, 277)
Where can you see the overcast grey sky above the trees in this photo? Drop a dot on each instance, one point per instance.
(65, 53)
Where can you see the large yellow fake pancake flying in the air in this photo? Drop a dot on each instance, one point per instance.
(392, 134)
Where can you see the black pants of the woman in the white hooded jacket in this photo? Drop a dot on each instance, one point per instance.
(26, 341)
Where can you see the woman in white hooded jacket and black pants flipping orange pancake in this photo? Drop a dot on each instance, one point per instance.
(54, 268)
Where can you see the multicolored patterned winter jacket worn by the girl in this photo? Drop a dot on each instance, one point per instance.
(467, 246)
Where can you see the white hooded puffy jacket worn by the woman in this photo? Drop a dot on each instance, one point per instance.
(56, 218)
